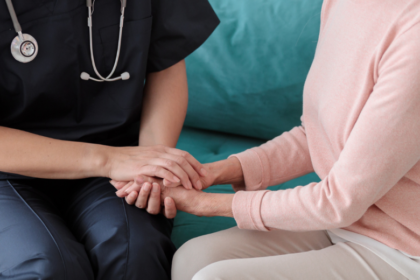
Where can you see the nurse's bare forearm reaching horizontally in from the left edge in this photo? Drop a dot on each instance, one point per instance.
(32, 155)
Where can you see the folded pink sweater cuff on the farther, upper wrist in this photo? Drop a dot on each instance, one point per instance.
(251, 168)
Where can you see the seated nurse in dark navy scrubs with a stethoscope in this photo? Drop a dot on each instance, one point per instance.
(62, 138)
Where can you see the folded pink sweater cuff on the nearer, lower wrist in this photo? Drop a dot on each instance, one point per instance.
(246, 208)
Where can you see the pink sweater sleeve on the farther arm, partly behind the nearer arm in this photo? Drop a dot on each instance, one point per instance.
(277, 161)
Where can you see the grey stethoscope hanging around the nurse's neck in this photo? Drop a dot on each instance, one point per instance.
(24, 47)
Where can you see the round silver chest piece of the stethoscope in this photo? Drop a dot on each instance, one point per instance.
(24, 48)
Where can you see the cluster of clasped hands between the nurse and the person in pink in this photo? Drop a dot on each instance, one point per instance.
(171, 179)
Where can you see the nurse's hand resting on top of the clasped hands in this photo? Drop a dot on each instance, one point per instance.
(174, 166)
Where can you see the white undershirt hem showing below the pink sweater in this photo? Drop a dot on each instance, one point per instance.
(407, 265)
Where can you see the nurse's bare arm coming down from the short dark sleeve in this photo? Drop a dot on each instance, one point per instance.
(164, 106)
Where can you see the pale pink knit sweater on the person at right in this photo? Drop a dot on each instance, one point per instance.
(360, 133)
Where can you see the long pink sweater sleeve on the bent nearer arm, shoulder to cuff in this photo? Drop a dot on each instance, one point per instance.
(382, 147)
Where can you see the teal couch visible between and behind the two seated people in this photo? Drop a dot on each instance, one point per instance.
(246, 85)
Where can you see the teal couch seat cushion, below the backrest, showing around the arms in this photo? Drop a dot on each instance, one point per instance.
(209, 147)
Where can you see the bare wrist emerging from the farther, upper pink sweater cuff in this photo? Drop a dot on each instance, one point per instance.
(228, 171)
